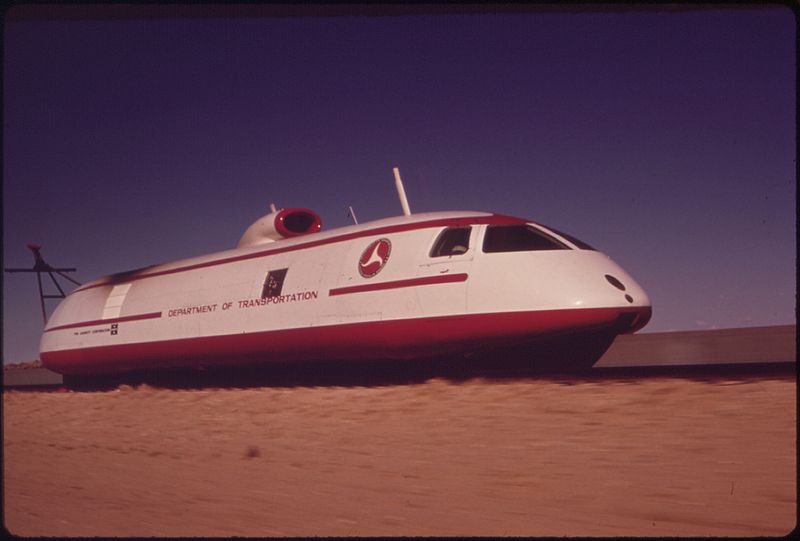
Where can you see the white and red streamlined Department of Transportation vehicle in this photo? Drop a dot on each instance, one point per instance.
(416, 286)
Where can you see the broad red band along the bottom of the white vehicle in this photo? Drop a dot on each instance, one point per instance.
(373, 340)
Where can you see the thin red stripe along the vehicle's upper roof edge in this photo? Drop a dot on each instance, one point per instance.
(442, 222)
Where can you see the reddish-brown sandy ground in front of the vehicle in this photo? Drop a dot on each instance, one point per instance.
(533, 457)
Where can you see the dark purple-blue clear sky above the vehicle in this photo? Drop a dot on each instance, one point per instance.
(665, 139)
